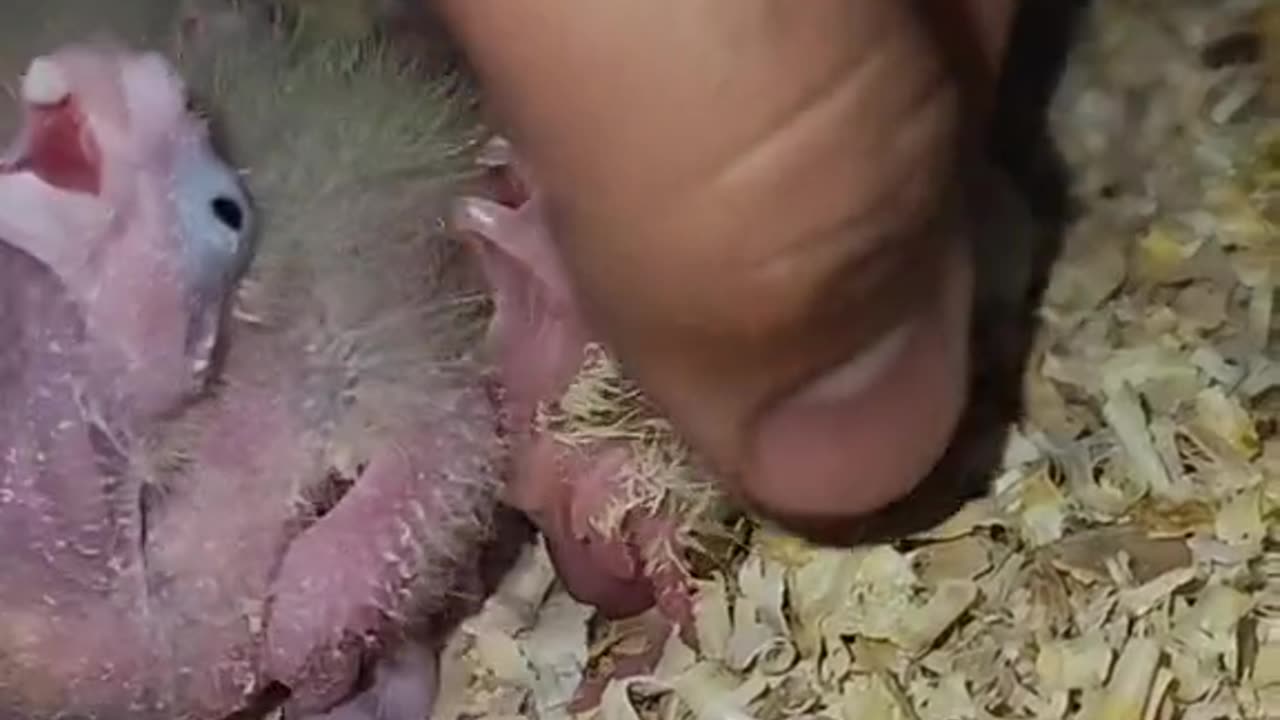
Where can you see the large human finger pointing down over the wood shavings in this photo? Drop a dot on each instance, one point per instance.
(764, 207)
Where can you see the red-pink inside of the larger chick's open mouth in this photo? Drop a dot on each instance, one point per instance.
(58, 145)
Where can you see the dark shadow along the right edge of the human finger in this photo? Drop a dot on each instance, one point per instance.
(1020, 240)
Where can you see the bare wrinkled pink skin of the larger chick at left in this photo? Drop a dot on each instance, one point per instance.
(132, 593)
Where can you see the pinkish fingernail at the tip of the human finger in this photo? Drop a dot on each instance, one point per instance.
(866, 434)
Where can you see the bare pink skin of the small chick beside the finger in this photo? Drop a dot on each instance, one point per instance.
(540, 339)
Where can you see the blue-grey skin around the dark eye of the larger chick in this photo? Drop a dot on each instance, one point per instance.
(217, 226)
